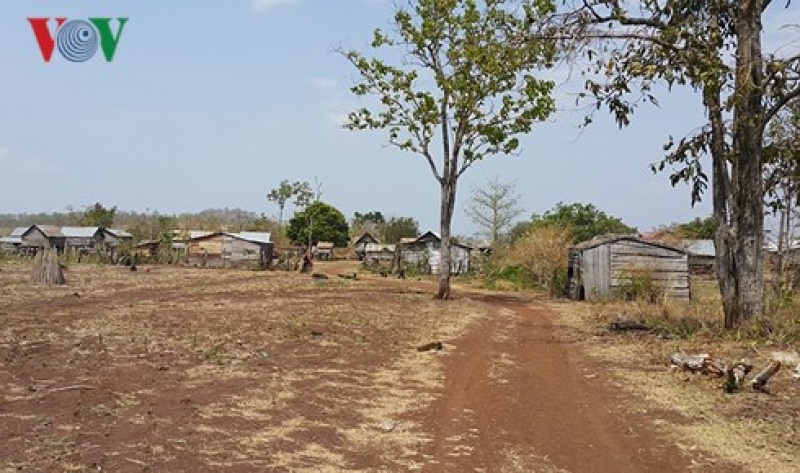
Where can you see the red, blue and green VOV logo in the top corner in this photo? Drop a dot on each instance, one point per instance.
(77, 40)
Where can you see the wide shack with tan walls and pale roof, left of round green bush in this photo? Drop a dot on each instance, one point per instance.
(230, 250)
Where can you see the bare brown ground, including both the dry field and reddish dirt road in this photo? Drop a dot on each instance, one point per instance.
(172, 369)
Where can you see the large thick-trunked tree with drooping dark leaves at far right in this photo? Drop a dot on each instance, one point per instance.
(714, 48)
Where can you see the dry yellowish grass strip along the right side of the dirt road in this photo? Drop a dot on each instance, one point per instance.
(759, 431)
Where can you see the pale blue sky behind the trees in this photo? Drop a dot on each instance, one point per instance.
(211, 103)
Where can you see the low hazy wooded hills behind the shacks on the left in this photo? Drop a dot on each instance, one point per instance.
(149, 225)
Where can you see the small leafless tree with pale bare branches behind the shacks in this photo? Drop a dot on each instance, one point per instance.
(494, 207)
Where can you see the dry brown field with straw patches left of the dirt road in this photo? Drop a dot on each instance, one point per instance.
(172, 369)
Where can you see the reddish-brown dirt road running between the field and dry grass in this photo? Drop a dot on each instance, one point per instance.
(519, 396)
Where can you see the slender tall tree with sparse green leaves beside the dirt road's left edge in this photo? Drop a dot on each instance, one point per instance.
(465, 89)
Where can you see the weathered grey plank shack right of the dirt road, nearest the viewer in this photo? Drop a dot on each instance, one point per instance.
(602, 267)
